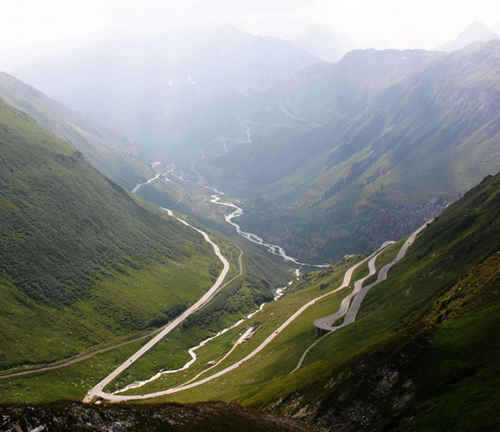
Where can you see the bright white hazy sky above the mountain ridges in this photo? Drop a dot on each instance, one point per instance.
(32, 27)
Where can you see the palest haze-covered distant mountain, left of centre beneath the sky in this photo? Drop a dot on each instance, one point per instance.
(169, 92)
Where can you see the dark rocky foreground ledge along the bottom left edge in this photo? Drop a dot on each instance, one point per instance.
(72, 416)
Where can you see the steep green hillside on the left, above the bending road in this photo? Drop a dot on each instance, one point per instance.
(81, 261)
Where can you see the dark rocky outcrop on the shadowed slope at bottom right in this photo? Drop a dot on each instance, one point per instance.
(371, 394)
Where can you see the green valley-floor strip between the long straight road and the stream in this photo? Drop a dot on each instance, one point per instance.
(259, 280)
